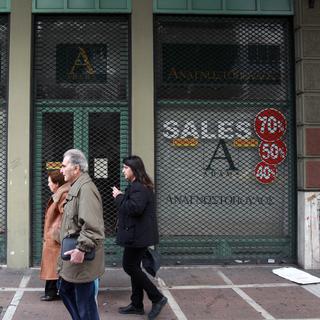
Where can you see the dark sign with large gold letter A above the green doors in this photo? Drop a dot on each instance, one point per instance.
(81, 63)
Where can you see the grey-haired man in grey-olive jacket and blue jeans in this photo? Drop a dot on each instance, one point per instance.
(82, 217)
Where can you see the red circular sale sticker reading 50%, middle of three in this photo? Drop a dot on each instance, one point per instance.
(272, 152)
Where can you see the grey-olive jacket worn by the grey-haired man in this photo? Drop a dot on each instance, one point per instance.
(83, 215)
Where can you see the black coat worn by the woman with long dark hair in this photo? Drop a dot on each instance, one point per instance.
(137, 221)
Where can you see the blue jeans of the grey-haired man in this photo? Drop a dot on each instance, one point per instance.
(79, 299)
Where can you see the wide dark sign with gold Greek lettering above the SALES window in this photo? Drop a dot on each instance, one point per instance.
(220, 63)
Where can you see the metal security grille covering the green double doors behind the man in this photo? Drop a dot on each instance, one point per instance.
(81, 99)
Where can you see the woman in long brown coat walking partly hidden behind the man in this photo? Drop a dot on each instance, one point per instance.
(51, 234)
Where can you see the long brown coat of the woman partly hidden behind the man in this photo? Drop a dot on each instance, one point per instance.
(51, 234)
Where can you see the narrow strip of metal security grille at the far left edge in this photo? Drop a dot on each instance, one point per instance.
(4, 36)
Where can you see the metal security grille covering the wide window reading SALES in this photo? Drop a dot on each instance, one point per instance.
(224, 139)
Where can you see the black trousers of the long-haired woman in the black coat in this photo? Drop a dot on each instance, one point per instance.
(140, 282)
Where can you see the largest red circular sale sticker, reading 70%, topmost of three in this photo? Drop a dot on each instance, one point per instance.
(270, 124)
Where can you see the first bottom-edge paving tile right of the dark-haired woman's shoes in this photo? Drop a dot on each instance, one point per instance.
(214, 304)
